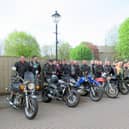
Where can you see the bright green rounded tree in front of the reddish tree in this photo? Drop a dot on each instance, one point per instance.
(81, 52)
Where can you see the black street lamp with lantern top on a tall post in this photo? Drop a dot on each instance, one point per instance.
(56, 18)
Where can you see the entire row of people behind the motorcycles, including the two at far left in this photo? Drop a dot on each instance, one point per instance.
(71, 68)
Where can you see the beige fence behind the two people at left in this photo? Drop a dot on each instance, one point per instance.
(5, 70)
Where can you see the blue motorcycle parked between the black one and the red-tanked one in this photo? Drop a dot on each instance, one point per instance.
(87, 85)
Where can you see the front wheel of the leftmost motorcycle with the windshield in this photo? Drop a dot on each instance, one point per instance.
(32, 110)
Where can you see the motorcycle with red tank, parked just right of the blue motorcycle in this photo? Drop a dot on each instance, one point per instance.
(109, 85)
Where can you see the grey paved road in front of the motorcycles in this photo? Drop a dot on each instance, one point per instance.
(106, 114)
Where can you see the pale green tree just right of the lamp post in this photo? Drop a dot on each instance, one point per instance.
(64, 51)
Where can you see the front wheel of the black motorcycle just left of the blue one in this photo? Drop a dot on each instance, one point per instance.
(72, 98)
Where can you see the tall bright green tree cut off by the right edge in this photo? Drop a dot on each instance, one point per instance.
(122, 47)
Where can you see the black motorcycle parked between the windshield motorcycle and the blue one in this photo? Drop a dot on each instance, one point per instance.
(60, 90)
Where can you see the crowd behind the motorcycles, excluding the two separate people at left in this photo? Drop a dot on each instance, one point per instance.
(76, 69)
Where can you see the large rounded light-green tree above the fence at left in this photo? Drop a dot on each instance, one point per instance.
(21, 43)
